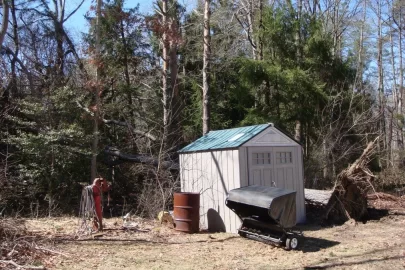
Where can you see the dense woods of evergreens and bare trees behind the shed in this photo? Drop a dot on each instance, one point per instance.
(121, 100)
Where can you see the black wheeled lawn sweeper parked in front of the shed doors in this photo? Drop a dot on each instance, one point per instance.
(267, 213)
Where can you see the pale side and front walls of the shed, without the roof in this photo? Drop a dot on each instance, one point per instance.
(214, 173)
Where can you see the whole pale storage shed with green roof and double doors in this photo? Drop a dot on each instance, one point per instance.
(227, 159)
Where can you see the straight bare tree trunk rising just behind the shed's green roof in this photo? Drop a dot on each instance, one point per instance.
(206, 62)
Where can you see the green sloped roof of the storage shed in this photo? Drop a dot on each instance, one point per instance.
(222, 139)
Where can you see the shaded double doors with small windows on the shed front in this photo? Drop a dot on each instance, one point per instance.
(272, 166)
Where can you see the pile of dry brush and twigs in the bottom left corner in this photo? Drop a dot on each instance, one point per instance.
(20, 249)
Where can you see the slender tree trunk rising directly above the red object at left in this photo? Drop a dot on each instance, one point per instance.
(97, 93)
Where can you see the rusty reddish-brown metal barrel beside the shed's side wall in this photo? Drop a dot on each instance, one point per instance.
(187, 212)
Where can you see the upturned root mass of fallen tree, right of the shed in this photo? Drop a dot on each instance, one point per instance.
(349, 197)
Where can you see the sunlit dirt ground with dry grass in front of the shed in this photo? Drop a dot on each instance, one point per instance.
(378, 244)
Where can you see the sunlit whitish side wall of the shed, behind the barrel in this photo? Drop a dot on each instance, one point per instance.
(212, 174)
